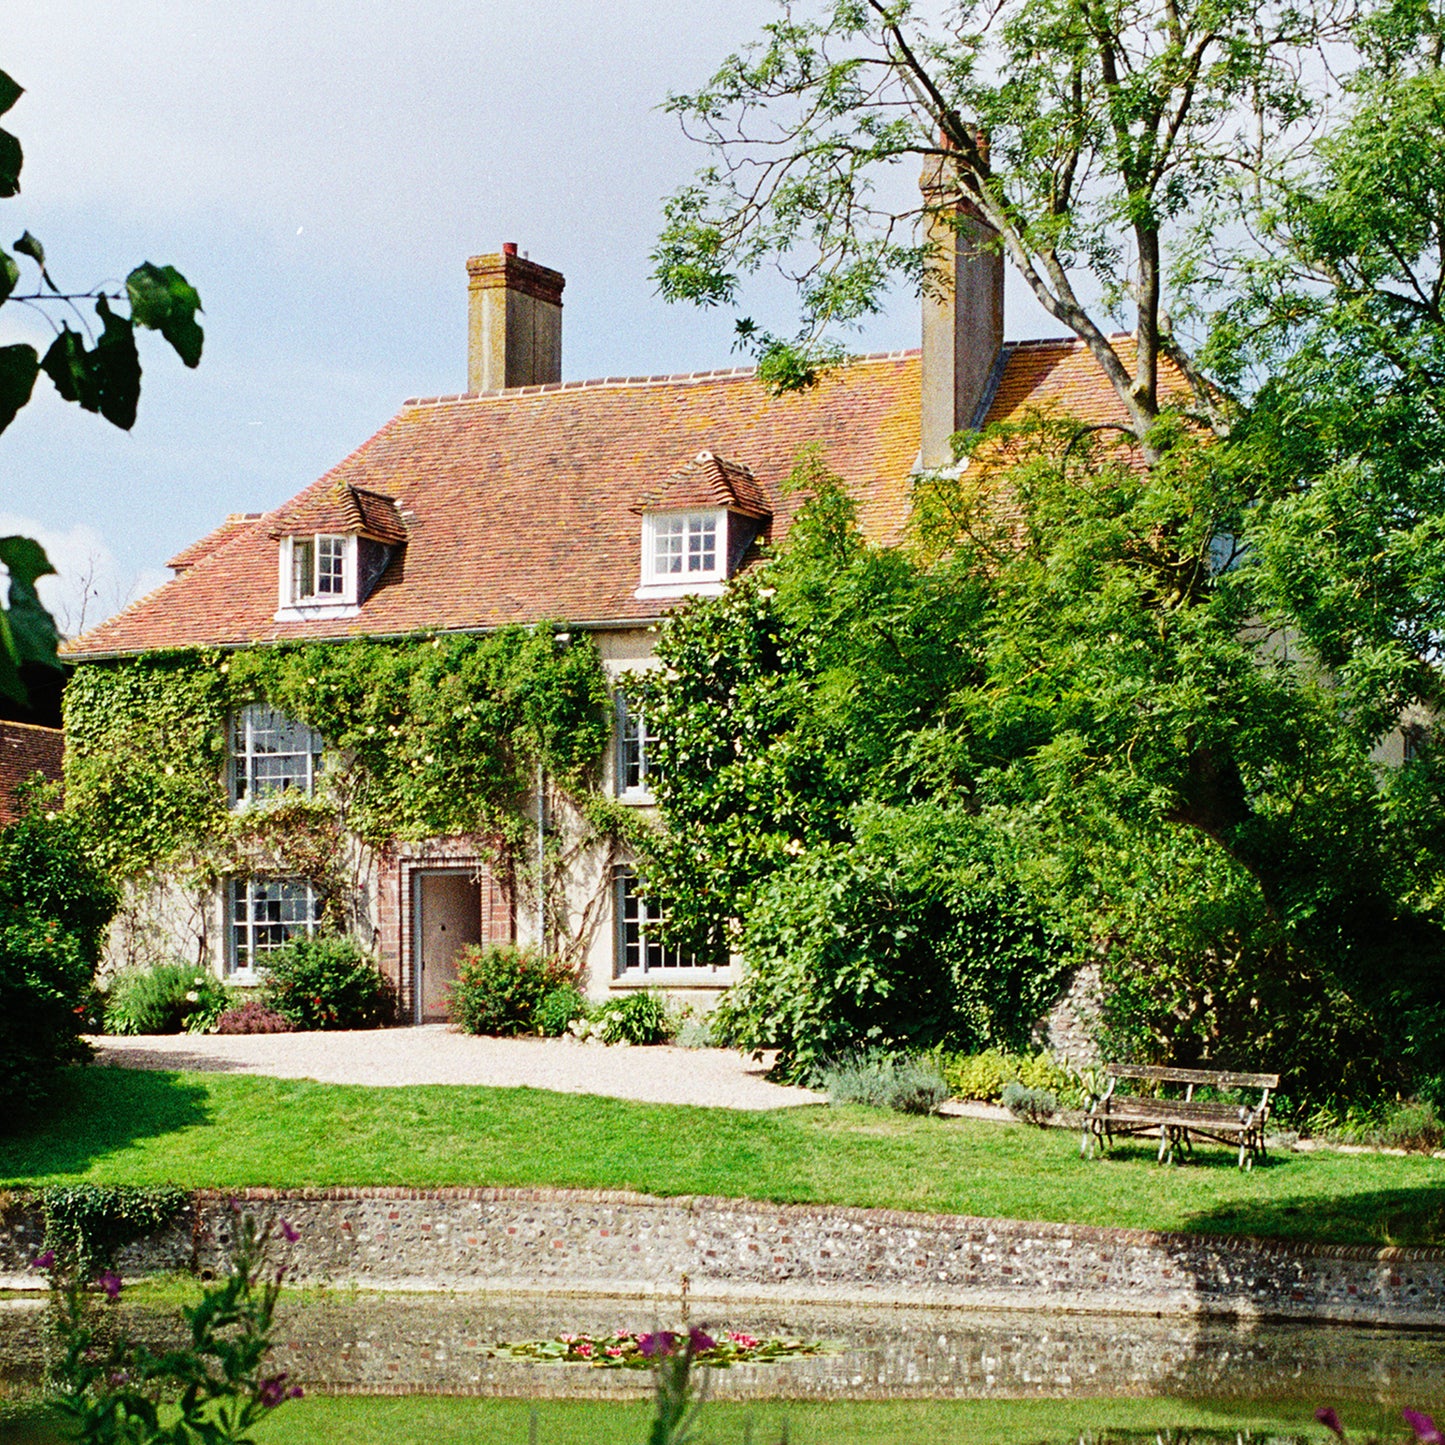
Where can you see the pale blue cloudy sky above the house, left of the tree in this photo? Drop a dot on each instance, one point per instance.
(320, 173)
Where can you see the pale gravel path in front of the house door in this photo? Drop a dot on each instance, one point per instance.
(433, 1054)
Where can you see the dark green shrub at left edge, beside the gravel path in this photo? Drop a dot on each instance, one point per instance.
(54, 910)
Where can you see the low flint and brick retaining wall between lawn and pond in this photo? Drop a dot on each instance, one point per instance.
(608, 1243)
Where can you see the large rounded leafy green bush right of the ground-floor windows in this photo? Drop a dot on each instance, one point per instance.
(913, 937)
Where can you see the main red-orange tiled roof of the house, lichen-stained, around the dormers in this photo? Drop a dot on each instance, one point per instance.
(519, 505)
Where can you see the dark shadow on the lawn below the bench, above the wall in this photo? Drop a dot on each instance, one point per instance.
(1402, 1217)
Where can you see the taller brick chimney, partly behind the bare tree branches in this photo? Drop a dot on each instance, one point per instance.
(963, 316)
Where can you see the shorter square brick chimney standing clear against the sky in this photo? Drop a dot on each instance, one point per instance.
(514, 322)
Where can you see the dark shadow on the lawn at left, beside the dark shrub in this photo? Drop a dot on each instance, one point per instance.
(96, 1112)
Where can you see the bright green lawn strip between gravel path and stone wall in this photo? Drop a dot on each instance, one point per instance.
(217, 1131)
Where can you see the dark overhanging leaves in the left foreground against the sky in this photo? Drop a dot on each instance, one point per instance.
(99, 371)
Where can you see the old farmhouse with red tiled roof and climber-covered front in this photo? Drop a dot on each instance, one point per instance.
(583, 509)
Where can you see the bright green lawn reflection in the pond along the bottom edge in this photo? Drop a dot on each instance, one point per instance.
(447, 1421)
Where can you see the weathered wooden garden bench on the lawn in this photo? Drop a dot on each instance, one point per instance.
(1180, 1121)
